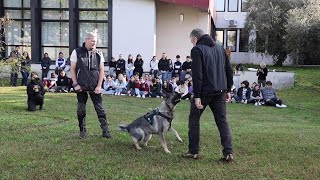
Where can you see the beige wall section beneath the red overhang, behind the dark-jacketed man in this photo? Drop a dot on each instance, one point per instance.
(173, 36)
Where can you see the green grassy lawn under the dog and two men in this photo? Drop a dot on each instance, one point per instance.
(269, 143)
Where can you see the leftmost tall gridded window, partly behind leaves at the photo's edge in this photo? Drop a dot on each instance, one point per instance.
(18, 33)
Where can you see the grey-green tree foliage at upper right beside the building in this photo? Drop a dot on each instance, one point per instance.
(279, 30)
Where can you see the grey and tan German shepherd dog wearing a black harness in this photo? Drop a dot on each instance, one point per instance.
(155, 122)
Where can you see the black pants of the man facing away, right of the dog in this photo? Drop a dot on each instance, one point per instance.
(217, 105)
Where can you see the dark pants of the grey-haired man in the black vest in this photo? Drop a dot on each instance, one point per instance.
(81, 111)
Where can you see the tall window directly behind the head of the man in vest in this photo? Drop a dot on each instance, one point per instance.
(93, 16)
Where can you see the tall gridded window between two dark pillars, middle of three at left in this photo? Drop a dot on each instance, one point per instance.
(55, 27)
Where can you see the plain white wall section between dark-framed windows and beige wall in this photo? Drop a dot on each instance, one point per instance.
(134, 28)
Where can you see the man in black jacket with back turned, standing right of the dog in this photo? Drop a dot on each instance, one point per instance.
(212, 80)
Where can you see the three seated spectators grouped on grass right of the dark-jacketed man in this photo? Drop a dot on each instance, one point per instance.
(257, 95)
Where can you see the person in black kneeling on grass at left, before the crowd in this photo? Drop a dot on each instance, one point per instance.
(35, 93)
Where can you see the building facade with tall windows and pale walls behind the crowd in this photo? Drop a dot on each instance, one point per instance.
(146, 27)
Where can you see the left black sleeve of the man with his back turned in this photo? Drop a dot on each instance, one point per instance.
(196, 69)
